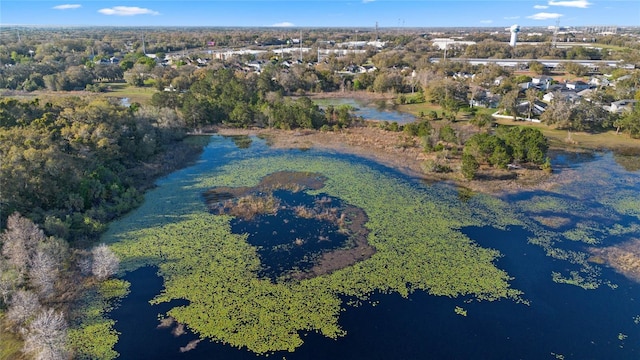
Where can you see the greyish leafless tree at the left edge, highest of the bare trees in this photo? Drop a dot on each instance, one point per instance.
(20, 240)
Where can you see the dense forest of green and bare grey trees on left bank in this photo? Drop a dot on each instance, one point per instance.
(68, 168)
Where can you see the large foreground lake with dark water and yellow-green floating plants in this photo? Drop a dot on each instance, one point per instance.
(569, 308)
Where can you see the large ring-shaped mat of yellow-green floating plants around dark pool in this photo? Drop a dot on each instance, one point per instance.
(415, 232)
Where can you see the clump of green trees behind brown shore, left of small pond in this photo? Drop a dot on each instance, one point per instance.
(237, 99)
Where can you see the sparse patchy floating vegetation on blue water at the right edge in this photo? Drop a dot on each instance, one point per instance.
(590, 218)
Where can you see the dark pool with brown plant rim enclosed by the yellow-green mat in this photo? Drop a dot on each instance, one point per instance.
(330, 215)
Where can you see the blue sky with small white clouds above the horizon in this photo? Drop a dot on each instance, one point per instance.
(320, 13)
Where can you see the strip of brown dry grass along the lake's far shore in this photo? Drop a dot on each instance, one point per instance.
(390, 149)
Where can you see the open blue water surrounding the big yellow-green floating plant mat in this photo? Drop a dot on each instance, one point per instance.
(560, 321)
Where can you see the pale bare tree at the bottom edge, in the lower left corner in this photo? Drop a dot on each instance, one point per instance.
(46, 336)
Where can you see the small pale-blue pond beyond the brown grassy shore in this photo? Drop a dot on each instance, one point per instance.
(377, 110)
